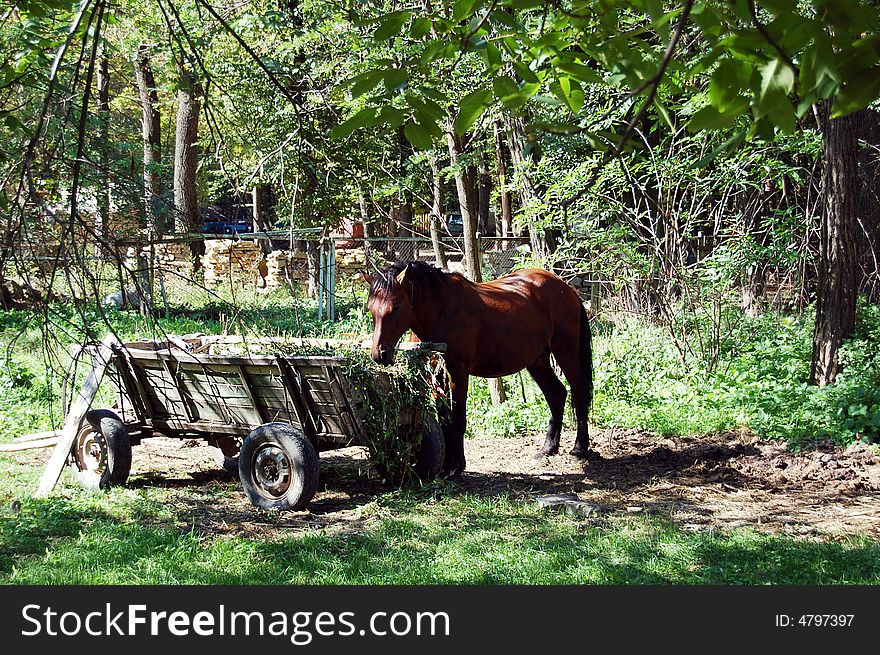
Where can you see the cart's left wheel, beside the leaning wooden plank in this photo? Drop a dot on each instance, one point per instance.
(101, 453)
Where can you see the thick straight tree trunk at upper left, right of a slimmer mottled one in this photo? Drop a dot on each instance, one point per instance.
(186, 203)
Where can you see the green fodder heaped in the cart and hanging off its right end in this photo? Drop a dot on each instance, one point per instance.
(396, 398)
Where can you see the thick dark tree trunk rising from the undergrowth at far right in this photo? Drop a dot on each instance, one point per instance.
(837, 286)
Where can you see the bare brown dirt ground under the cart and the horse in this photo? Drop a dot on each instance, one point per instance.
(724, 481)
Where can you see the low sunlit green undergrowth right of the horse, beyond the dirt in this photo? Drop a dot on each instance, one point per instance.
(760, 382)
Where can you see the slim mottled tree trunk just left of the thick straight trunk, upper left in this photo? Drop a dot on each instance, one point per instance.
(151, 132)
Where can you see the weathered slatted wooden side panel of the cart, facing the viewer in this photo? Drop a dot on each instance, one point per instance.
(176, 393)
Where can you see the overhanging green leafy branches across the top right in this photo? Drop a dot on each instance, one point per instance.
(774, 60)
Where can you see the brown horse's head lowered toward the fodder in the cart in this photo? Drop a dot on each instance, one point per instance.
(390, 305)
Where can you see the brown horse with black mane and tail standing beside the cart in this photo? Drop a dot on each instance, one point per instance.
(491, 329)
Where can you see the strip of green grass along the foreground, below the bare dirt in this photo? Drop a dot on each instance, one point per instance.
(409, 539)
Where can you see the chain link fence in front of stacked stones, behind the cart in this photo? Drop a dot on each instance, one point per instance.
(327, 268)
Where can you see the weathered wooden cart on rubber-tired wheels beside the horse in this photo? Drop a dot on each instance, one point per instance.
(269, 414)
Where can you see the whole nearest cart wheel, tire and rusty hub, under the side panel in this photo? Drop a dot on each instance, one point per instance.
(278, 467)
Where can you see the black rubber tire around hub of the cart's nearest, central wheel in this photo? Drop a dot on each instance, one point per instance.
(298, 450)
